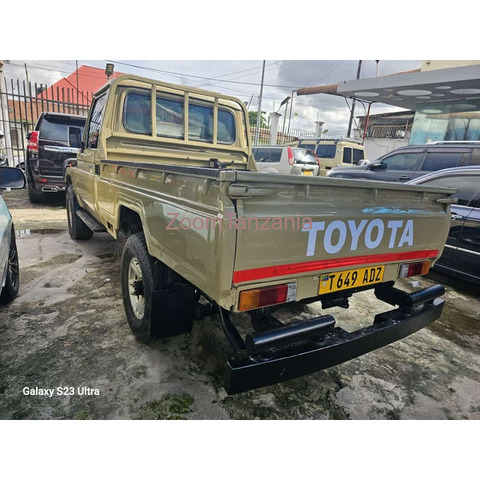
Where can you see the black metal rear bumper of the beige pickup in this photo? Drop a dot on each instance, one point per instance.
(246, 371)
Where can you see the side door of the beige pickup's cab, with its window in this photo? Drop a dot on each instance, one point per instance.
(87, 158)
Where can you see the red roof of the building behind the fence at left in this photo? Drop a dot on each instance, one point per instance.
(90, 80)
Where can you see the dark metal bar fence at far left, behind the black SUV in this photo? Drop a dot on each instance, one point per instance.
(20, 106)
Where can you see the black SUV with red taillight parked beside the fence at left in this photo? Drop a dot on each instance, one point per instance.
(56, 138)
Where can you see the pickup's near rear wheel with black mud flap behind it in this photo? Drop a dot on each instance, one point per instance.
(155, 306)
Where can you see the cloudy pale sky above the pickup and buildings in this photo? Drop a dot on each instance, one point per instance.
(242, 79)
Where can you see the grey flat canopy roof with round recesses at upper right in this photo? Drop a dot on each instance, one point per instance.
(408, 89)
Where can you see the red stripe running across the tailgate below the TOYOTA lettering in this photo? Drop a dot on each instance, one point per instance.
(304, 267)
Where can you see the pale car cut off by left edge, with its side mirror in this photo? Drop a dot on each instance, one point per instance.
(9, 270)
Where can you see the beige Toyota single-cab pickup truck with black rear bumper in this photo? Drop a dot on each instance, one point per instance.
(171, 167)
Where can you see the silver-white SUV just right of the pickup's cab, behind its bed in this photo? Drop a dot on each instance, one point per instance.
(284, 159)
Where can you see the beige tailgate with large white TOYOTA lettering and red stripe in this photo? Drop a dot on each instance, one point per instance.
(299, 227)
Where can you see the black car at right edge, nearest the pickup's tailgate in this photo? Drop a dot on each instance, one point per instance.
(461, 256)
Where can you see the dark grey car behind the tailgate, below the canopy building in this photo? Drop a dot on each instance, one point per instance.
(408, 163)
